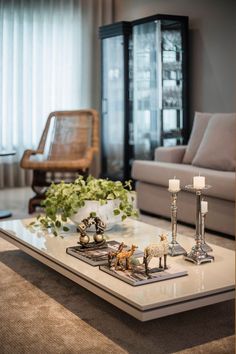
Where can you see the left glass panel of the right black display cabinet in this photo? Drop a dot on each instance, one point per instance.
(146, 86)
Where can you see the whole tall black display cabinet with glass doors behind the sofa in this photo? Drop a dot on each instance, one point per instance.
(144, 90)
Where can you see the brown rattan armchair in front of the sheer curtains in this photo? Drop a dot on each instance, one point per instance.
(67, 145)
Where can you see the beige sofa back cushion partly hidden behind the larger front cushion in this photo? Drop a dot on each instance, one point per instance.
(200, 123)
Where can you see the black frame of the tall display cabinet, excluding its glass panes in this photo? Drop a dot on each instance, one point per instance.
(125, 29)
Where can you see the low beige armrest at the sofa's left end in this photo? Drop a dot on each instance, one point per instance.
(173, 154)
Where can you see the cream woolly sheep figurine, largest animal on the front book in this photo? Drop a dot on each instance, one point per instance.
(156, 250)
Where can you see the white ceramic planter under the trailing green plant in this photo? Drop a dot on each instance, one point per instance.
(104, 212)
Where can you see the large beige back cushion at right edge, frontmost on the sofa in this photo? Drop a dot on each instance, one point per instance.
(217, 148)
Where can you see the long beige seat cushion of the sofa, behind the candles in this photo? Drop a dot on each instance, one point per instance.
(159, 173)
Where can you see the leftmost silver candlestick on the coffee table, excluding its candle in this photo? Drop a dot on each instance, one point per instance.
(175, 249)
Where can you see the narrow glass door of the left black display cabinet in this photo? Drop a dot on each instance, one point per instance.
(113, 106)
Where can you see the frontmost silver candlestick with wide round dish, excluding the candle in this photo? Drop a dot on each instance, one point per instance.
(197, 255)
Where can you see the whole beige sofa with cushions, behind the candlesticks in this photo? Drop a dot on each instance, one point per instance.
(211, 146)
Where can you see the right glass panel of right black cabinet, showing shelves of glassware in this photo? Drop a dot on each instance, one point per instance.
(172, 83)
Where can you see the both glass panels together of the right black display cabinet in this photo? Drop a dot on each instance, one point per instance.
(157, 87)
